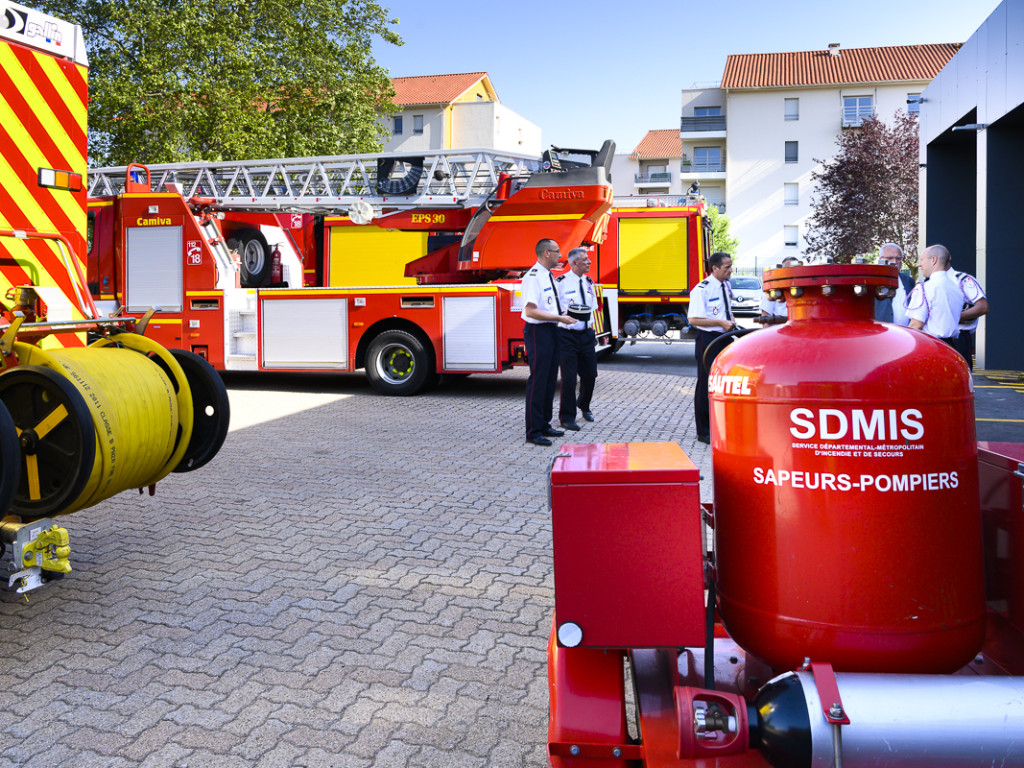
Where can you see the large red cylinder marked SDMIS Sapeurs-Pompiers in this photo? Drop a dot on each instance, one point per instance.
(847, 524)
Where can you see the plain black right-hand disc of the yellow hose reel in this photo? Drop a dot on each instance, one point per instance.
(211, 410)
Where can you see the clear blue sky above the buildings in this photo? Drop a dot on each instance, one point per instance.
(589, 71)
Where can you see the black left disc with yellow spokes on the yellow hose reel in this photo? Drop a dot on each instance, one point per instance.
(63, 458)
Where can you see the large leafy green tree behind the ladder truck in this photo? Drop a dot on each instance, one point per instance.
(227, 80)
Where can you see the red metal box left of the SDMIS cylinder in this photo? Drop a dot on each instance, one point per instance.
(627, 535)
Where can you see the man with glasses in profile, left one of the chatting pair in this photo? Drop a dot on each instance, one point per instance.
(542, 313)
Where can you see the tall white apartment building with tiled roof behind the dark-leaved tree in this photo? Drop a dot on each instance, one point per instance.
(755, 141)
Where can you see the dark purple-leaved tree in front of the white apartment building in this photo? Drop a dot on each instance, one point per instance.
(868, 194)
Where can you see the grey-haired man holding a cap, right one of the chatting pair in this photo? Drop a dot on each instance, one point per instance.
(579, 356)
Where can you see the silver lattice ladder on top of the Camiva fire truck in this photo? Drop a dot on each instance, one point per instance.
(452, 179)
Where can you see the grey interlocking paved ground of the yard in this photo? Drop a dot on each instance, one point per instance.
(355, 581)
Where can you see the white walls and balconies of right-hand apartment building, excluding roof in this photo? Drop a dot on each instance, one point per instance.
(755, 151)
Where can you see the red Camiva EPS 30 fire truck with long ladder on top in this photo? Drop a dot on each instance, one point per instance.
(445, 301)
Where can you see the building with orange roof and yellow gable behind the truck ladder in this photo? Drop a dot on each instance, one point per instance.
(461, 111)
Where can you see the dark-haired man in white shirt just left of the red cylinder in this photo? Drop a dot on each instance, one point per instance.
(711, 315)
